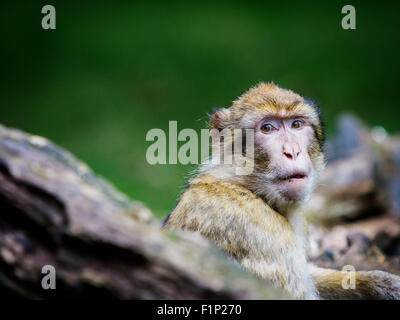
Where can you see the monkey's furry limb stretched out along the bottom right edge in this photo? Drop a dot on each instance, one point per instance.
(368, 284)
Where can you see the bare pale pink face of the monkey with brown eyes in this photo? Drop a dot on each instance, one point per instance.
(282, 148)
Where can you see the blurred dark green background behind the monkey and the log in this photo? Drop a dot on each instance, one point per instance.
(111, 71)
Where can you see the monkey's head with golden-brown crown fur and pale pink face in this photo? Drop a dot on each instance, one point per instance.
(288, 143)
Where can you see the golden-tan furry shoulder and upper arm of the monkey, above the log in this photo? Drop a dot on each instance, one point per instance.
(218, 215)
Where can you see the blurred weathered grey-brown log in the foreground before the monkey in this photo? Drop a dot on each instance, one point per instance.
(55, 211)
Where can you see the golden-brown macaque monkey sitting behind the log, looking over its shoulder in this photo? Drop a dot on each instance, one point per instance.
(256, 218)
